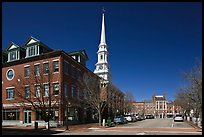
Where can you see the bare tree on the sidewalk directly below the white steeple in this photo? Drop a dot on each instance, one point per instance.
(95, 94)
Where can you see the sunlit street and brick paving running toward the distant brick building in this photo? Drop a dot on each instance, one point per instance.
(158, 126)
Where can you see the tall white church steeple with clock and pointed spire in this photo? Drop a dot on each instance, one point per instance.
(102, 66)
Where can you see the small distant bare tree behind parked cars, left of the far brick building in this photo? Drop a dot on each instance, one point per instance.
(127, 102)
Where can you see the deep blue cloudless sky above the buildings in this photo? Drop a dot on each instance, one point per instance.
(150, 44)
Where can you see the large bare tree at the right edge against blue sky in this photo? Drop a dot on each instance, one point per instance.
(190, 96)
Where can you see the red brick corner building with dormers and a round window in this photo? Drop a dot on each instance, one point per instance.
(35, 70)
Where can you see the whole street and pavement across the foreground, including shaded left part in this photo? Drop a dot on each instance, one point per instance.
(157, 126)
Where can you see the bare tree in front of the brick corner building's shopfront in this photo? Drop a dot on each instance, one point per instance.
(38, 90)
